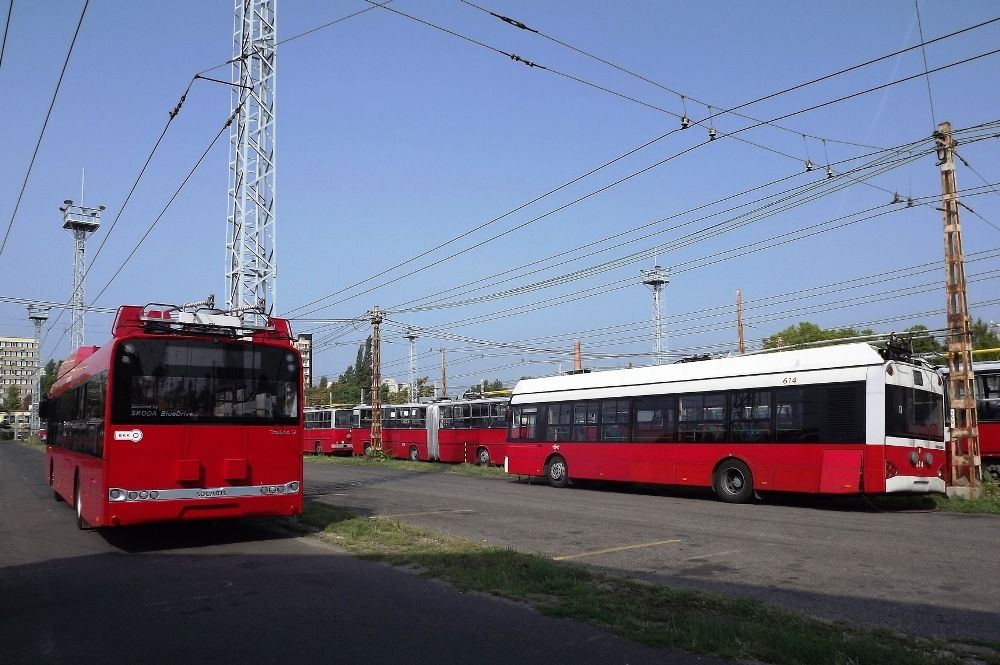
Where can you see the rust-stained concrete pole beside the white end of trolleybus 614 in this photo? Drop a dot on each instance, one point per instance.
(966, 465)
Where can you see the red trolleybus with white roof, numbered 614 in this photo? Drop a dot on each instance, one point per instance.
(831, 420)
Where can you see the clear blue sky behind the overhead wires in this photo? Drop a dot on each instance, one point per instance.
(394, 137)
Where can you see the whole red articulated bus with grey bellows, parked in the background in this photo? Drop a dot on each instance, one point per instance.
(472, 431)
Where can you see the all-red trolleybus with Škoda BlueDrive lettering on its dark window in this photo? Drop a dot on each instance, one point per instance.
(181, 416)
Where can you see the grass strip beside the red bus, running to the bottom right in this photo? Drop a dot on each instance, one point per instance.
(648, 613)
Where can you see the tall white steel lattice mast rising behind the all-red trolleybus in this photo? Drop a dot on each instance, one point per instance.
(251, 270)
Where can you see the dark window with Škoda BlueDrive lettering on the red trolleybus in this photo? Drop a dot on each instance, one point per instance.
(171, 381)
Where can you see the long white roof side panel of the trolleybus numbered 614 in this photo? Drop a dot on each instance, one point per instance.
(828, 357)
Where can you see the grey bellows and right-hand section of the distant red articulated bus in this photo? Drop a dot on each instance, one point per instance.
(469, 431)
